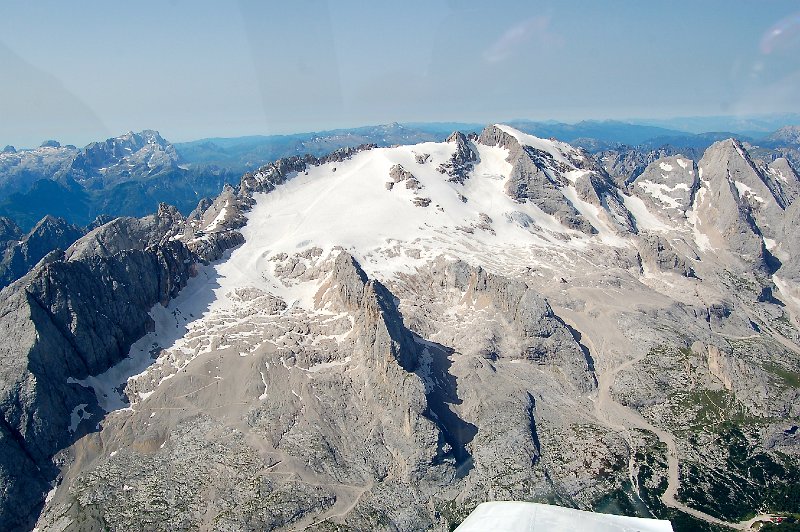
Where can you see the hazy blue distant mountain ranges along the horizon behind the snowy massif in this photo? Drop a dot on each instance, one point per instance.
(131, 174)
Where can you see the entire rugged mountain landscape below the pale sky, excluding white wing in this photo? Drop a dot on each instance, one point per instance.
(383, 337)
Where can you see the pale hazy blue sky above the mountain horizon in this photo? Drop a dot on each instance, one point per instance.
(84, 71)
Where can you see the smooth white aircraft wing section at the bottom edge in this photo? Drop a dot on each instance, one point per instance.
(509, 516)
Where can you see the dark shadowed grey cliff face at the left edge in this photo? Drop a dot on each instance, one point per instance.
(68, 319)
